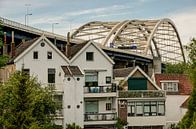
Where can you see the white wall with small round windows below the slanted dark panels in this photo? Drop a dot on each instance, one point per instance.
(73, 96)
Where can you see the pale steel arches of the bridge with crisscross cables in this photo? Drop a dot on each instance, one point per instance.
(157, 38)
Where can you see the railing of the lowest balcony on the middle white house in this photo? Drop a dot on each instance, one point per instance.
(100, 117)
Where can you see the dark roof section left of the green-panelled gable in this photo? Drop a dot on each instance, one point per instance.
(122, 72)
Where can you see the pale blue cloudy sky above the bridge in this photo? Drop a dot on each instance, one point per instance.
(71, 14)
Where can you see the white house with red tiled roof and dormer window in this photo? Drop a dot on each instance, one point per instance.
(178, 89)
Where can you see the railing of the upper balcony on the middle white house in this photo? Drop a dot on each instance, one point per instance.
(100, 89)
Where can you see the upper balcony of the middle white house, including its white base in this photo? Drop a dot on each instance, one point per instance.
(100, 91)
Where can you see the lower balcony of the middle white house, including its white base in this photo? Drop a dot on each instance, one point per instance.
(100, 118)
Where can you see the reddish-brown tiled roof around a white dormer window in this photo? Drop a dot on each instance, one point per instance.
(185, 86)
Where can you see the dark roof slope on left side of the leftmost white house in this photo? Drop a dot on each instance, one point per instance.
(21, 48)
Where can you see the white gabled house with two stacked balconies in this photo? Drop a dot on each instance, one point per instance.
(100, 94)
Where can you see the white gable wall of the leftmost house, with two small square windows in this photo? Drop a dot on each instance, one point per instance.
(39, 67)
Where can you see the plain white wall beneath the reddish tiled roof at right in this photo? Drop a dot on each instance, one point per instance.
(173, 111)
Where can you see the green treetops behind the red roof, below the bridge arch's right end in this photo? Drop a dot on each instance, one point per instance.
(180, 68)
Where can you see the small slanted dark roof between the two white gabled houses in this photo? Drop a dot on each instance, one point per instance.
(71, 70)
